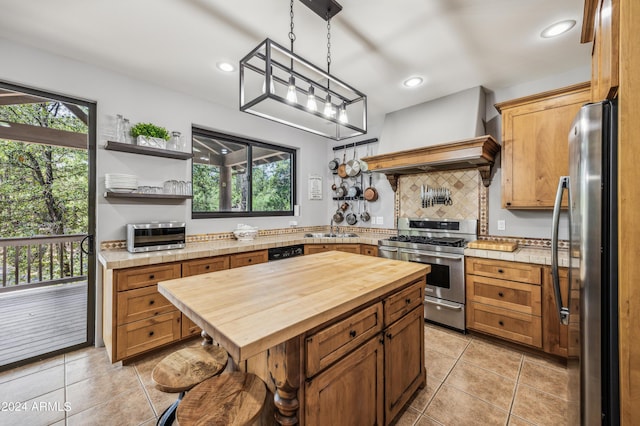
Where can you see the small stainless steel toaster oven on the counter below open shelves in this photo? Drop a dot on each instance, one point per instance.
(144, 237)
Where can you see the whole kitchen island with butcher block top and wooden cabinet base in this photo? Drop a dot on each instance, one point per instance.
(337, 337)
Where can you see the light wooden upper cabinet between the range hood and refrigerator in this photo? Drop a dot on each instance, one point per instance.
(535, 131)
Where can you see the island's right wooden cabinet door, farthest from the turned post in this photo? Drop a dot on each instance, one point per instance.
(404, 346)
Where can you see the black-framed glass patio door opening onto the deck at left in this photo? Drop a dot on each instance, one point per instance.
(47, 223)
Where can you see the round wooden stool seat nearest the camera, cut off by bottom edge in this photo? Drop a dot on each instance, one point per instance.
(228, 399)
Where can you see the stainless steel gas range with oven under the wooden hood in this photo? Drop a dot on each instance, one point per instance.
(439, 243)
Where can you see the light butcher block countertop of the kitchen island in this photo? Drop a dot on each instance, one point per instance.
(251, 309)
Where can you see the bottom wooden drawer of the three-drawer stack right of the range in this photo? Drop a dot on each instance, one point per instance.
(504, 323)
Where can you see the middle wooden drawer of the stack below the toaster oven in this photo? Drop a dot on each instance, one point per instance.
(141, 303)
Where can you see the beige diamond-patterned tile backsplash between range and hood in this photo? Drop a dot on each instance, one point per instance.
(465, 193)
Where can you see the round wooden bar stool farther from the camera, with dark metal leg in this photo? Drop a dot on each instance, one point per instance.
(184, 369)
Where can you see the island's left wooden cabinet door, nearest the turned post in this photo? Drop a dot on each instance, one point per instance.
(330, 398)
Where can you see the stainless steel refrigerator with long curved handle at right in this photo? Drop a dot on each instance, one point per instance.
(591, 310)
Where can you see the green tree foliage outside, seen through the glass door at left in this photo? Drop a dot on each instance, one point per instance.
(43, 189)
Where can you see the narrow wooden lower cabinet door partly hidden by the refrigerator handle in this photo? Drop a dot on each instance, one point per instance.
(555, 336)
